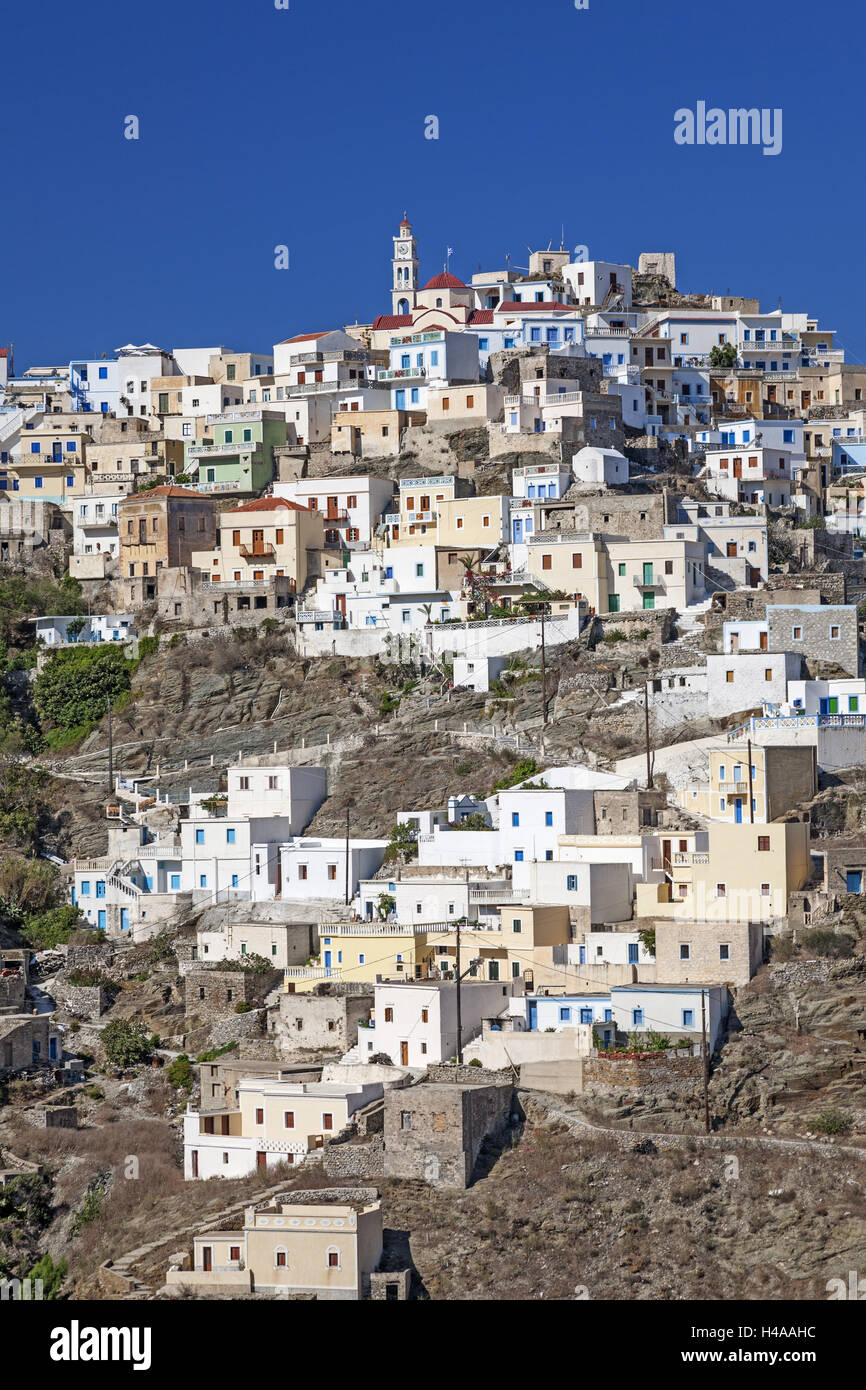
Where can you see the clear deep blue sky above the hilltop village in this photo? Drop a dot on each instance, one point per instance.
(307, 127)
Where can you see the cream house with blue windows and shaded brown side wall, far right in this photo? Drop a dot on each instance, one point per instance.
(782, 776)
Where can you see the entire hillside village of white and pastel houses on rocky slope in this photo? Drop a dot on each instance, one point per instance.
(432, 760)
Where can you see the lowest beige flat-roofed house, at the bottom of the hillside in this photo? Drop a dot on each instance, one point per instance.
(297, 1243)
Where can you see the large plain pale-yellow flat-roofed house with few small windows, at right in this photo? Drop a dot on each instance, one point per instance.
(746, 875)
